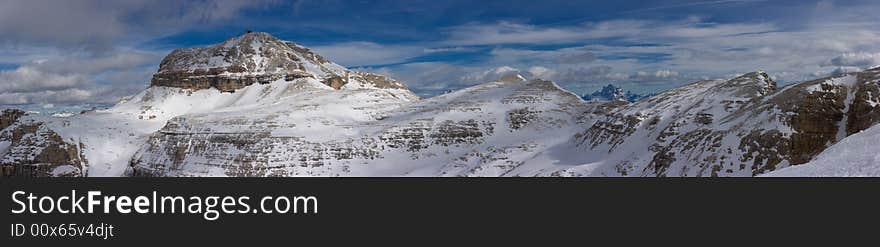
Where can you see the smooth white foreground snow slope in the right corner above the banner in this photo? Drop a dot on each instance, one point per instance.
(854, 156)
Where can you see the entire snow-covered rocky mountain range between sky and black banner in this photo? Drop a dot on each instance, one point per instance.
(255, 105)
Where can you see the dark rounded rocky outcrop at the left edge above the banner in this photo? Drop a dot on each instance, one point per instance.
(30, 149)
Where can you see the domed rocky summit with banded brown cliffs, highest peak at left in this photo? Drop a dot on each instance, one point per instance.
(254, 58)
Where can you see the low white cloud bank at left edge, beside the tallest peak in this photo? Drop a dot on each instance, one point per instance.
(77, 78)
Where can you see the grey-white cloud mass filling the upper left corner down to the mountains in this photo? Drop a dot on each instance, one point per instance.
(76, 51)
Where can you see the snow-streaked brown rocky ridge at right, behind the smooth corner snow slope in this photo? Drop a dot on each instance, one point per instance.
(740, 127)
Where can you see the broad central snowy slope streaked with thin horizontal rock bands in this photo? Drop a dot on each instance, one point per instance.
(492, 129)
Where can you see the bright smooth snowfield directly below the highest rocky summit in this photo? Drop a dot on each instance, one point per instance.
(112, 136)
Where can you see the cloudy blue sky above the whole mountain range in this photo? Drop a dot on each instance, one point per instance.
(94, 51)
